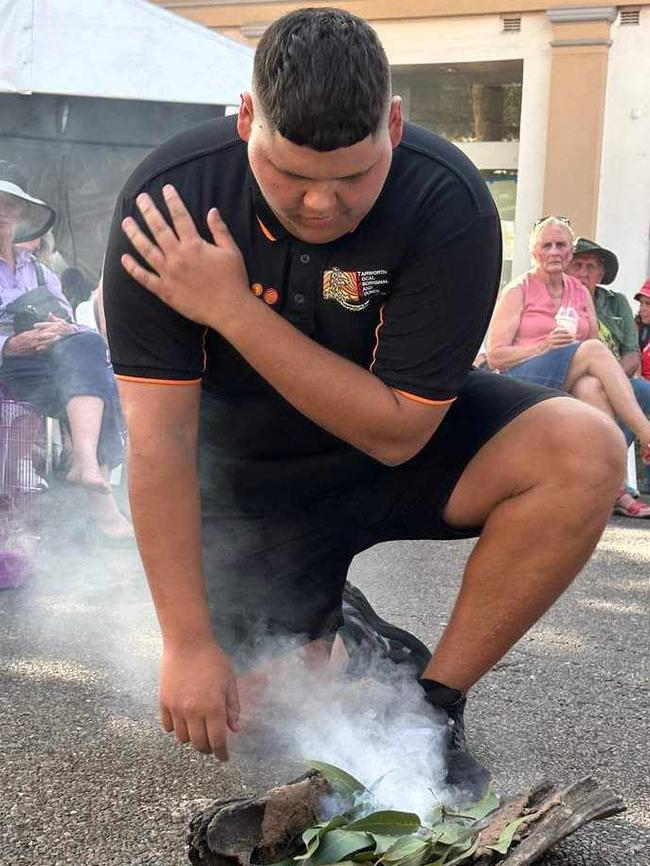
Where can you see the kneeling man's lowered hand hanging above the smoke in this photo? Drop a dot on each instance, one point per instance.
(198, 696)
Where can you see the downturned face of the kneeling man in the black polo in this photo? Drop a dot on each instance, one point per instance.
(318, 196)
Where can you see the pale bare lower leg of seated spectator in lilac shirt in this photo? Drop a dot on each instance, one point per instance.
(85, 418)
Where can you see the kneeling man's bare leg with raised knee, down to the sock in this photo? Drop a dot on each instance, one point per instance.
(523, 487)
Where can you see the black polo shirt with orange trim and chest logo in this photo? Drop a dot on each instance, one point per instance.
(407, 295)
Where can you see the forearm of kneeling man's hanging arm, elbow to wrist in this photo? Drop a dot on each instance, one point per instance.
(164, 495)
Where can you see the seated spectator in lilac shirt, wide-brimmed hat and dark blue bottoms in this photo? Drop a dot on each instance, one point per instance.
(48, 361)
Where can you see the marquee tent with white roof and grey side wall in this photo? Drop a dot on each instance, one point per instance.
(88, 87)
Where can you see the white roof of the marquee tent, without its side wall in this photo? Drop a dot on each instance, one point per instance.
(117, 49)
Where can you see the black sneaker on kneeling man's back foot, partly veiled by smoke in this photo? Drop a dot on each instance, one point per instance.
(367, 636)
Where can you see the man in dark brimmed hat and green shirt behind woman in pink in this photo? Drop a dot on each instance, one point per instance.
(596, 267)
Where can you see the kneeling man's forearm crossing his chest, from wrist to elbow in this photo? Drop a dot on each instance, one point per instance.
(335, 393)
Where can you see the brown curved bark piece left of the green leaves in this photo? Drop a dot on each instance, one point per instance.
(257, 830)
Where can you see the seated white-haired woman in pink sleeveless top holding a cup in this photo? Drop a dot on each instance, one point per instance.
(544, 330)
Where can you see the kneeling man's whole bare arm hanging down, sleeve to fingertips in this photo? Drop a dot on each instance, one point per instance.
(198, 696)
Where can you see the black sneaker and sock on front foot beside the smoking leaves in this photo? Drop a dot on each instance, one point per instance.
(463, 771)
